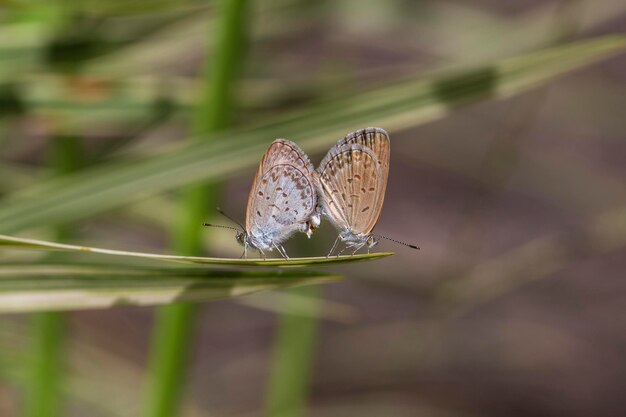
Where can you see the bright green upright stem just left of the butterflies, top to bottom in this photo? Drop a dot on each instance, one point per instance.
(174, 324)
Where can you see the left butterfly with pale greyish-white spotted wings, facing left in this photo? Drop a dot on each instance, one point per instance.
(282, 200)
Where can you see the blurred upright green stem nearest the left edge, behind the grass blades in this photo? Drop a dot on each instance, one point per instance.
(46, 364)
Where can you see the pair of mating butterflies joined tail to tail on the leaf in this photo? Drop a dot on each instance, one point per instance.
(288, 195)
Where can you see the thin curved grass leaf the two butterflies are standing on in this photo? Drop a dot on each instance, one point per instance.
(22, 243)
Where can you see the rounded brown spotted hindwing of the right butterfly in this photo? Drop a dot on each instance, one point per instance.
(351, 183)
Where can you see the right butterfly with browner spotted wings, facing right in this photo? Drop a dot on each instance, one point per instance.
(351, 182)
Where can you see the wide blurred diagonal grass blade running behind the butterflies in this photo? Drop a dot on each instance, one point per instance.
(401, 105)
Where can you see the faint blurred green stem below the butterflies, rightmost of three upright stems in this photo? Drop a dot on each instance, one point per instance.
(294, 347)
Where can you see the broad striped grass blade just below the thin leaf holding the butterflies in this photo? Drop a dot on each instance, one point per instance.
(42, 287)
